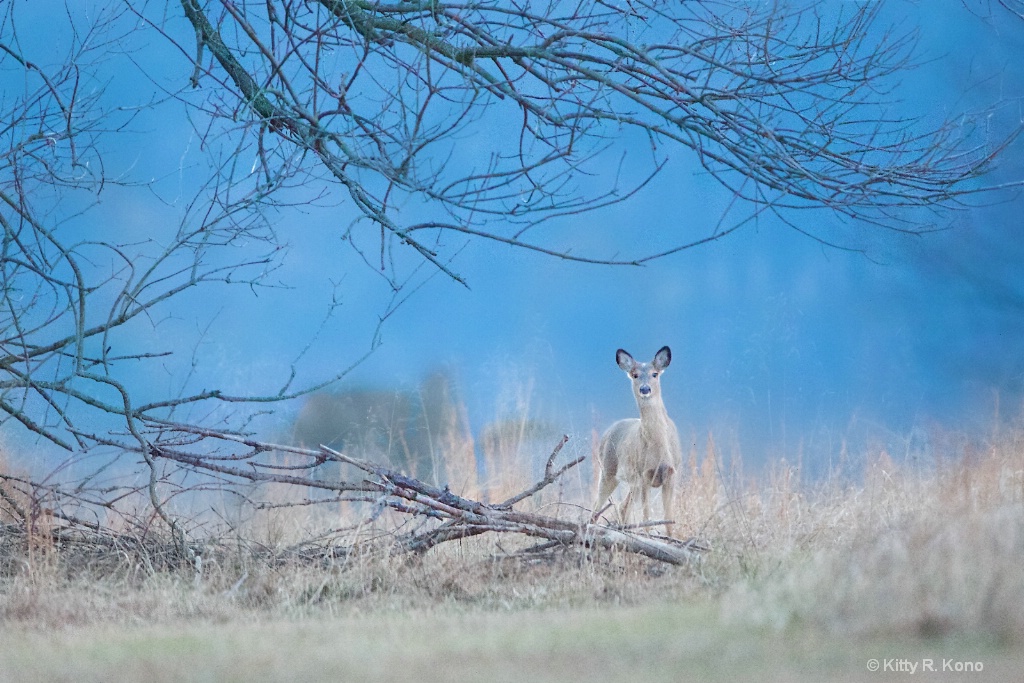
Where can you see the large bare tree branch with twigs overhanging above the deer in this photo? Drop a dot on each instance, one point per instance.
(784, 105)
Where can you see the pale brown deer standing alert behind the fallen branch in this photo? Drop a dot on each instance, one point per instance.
(643, 452)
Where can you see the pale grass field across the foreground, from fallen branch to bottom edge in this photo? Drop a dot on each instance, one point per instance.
(908, 567)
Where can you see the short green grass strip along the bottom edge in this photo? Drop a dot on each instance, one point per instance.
(671, 643)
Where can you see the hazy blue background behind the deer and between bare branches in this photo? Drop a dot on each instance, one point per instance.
(783, 348)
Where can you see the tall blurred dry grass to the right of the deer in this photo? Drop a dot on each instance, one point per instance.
(923, 550)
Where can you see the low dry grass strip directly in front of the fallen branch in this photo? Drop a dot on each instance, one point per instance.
(482, 574)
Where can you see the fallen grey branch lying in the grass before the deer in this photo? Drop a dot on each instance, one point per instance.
(447, 516)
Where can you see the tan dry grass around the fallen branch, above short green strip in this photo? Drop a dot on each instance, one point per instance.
(919, 549)
